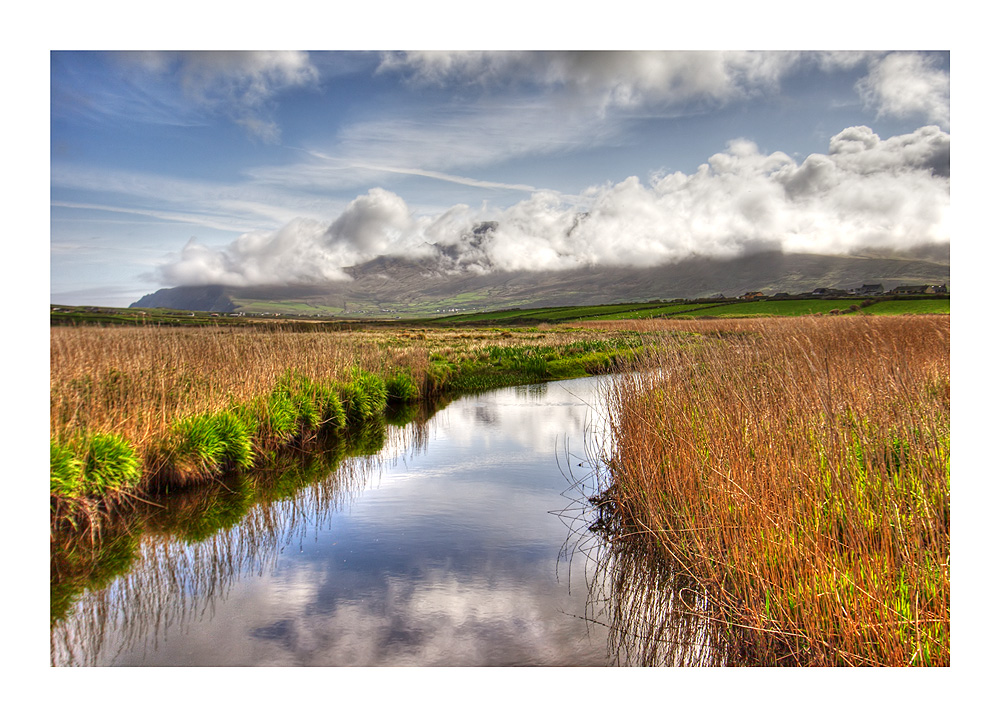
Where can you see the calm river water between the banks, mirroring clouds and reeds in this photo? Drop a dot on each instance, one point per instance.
(444, 549)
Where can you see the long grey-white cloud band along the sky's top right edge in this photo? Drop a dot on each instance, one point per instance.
(898, 84)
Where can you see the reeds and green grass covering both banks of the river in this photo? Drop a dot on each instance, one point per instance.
(791, 475)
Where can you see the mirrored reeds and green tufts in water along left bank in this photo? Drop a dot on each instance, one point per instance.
(169, 563)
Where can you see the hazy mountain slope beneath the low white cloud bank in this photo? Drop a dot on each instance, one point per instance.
(395, 286)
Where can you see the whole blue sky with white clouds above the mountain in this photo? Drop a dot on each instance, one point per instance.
(244, 167)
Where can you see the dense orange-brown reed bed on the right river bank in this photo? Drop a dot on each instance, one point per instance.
(796, 472)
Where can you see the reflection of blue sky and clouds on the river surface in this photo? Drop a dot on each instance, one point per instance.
(447, 557)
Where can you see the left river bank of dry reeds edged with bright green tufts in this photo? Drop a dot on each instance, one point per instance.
(140, 410)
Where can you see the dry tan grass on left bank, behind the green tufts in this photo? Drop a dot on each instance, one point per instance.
(136, 382)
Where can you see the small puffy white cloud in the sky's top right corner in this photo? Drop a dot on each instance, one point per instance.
(906, 84)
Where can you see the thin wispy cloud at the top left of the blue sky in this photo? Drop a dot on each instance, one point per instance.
(240, 85)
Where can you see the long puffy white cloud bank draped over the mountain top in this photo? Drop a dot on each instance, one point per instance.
(864, 193)
